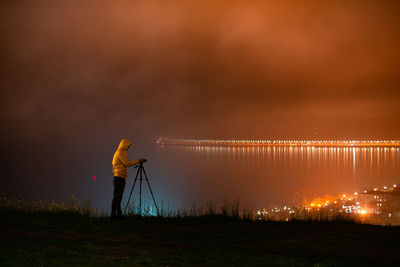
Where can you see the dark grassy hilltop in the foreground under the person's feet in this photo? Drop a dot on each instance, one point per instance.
(68, 238)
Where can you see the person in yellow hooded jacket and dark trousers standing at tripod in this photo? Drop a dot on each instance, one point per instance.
(120, 169)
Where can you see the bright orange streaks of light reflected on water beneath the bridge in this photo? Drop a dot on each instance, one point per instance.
(347, 159)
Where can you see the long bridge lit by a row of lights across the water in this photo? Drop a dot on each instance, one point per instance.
(321, 143)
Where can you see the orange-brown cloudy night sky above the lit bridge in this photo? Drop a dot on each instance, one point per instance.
(173, 65)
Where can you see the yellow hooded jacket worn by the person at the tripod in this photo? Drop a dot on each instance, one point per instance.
(120, 161)
